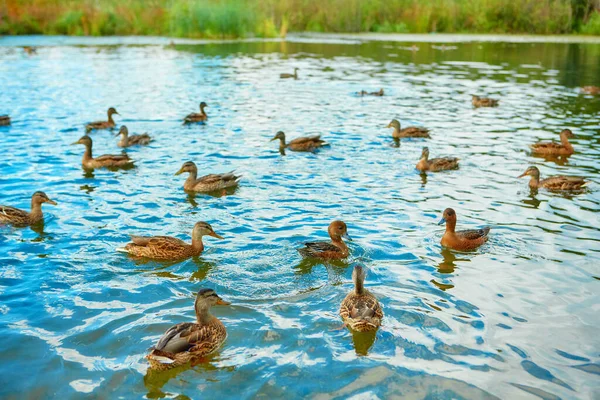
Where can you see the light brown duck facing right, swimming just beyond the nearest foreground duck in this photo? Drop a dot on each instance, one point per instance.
(167, 247)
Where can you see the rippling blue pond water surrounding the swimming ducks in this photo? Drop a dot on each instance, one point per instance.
(518, 318)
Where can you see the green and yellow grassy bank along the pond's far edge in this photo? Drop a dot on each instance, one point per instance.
(270, 18)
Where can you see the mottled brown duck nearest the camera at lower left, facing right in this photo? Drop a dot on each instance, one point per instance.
(188, 341)
